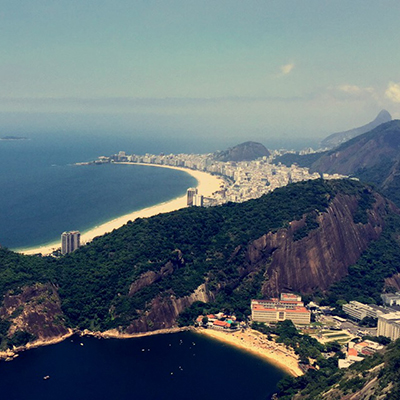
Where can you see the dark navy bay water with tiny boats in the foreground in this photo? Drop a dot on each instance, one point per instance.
(176, 366)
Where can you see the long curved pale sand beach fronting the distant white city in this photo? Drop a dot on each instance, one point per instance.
(206, 184)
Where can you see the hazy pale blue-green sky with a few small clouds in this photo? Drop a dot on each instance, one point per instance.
(241, 70)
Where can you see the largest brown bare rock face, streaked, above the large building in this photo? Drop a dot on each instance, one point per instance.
(321, 258)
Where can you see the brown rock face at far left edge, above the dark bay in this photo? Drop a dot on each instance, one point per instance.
(36, 310)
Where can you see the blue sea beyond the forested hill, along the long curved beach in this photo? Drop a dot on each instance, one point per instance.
(43, 194)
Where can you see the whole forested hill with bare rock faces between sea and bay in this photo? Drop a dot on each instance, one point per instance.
(147, 274)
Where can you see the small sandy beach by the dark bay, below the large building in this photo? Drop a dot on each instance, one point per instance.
(255, 342)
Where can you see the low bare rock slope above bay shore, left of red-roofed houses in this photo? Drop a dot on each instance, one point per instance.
(165, 309)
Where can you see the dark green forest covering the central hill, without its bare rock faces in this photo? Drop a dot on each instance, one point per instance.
(180, 250)
